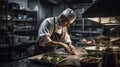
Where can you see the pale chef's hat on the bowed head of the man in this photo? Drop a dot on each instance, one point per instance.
(69, 14)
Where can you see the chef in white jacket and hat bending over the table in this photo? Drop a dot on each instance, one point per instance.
(53, 33)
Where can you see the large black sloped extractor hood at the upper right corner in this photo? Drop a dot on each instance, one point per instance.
(103, 8)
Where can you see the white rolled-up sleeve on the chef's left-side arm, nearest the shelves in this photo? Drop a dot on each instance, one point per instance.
(44, 33)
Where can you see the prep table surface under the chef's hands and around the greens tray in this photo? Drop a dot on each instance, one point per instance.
(71, 61)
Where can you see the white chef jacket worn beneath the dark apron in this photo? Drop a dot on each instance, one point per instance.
(46, 29)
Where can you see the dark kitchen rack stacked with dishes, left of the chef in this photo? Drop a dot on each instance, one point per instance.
(17, 31)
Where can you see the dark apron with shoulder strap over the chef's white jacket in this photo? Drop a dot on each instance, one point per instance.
(48, 48)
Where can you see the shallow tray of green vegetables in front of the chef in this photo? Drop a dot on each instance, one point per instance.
(47, 59)
